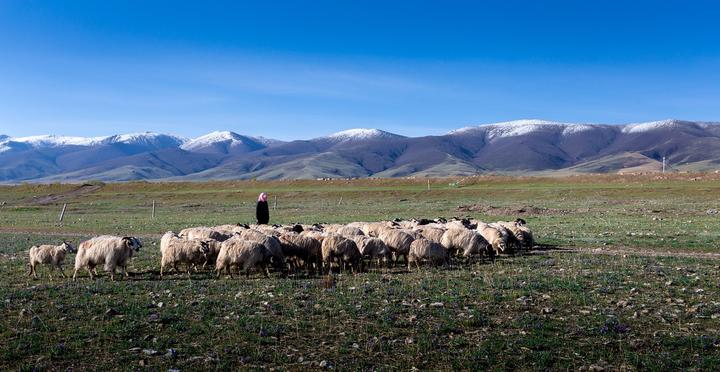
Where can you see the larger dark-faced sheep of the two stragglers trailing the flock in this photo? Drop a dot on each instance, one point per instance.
(111, 251)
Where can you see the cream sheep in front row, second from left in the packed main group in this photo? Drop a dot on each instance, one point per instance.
(244, 255)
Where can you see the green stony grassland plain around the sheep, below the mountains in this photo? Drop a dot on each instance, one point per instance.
(627, 278)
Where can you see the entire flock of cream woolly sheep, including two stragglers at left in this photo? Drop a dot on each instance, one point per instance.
(290, 248)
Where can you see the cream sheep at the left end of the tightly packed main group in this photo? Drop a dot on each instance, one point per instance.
(176, 250)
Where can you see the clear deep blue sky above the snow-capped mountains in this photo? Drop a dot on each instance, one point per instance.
(300, 69)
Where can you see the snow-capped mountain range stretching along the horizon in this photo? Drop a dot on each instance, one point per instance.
(515, 147)
